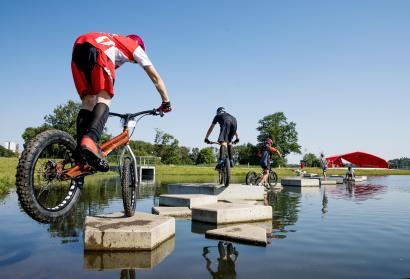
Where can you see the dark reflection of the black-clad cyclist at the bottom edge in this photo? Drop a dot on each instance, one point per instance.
(226, 260)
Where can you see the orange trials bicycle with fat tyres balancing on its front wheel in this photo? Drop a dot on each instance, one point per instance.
(49, 180)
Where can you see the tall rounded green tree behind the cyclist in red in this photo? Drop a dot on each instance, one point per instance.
(282, 133)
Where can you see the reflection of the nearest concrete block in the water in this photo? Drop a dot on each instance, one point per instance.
(107, 260)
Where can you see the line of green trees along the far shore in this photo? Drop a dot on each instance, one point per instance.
(167, 147)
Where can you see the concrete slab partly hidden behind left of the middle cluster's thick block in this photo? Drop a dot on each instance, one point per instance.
(184, 200)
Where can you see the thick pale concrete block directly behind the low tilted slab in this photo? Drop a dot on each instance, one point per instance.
(223, 213)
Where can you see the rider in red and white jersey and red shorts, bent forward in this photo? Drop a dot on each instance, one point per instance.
(95, 57)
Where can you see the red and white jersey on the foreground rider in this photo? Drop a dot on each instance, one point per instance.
(118, 48)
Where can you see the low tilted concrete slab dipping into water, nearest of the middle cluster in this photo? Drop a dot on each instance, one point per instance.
(240, 233)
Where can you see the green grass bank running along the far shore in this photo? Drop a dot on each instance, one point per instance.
(8, 172)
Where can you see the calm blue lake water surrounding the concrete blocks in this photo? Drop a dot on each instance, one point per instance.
(359, 231)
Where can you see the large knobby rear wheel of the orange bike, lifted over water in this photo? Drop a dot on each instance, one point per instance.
(43, 191)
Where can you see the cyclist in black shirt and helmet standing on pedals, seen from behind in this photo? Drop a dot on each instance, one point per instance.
(228, 130)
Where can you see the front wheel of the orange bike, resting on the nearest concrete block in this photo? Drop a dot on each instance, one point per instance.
(128, 189)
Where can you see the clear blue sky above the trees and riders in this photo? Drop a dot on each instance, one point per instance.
(339, 69)
